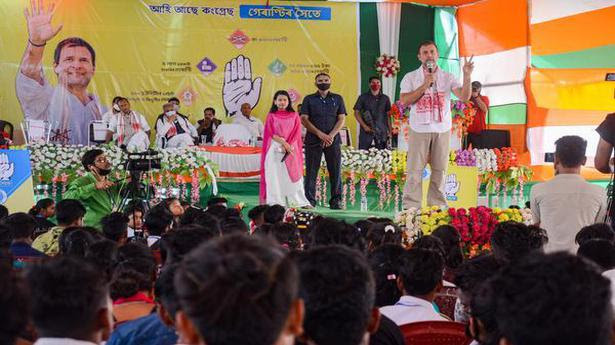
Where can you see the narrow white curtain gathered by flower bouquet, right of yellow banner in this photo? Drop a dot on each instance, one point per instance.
(389, 15)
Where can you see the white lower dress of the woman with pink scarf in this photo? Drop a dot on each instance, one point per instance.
(280, 189)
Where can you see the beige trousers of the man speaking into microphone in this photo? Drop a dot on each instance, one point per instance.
(423, 148)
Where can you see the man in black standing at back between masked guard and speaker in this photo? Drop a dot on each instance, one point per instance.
(372, 112)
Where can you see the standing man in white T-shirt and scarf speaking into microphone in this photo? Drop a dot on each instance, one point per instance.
(427, 90)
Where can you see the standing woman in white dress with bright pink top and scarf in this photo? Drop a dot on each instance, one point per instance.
(282, 156)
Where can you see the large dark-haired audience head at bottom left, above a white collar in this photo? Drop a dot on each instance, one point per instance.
(69, 301)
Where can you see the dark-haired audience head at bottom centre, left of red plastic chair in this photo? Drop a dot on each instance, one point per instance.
(337, 287)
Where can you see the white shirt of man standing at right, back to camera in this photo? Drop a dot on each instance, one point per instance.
(565, 204)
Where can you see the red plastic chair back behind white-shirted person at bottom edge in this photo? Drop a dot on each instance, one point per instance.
(435, 333)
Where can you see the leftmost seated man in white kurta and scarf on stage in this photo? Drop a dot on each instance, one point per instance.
(129, 128)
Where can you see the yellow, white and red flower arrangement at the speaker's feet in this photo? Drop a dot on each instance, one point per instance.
(475, 225)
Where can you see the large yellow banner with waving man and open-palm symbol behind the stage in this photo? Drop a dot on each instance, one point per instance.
(64, 65)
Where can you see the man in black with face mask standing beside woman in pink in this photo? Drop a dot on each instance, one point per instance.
(322, 114)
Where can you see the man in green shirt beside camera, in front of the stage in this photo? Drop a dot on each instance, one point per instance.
(94, 189)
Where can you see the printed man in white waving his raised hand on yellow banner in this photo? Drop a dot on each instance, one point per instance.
(68, 107)
